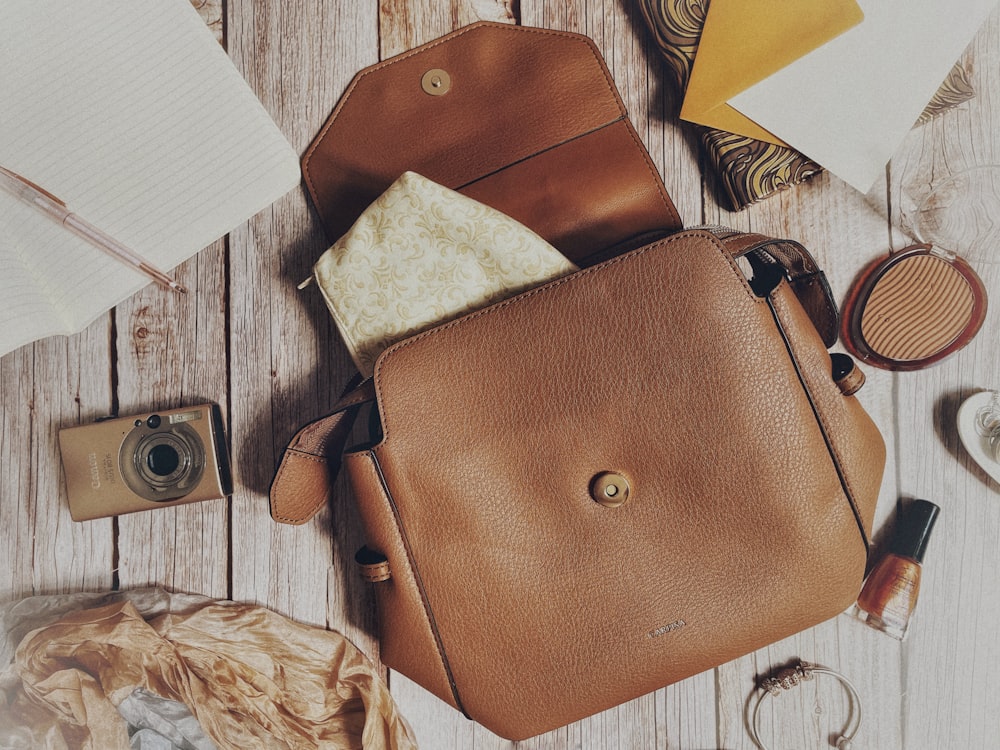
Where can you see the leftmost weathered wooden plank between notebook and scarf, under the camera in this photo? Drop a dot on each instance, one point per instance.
(47, 385)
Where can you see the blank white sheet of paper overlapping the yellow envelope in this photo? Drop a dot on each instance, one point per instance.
(849, 104)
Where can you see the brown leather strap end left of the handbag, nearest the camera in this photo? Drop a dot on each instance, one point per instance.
(311, 461)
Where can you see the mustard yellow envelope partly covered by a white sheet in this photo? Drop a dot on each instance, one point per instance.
(745, 41)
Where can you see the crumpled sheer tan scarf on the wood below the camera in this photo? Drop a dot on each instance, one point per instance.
(251, 678)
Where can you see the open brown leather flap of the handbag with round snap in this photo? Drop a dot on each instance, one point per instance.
(464, 108)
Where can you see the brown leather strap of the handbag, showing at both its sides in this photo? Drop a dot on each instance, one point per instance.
(311, 461)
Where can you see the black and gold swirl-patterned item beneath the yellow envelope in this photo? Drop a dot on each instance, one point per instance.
(750, 170)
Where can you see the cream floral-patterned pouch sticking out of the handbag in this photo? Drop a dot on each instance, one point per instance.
(420, 255)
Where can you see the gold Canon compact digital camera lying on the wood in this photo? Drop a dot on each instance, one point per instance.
(127, 464)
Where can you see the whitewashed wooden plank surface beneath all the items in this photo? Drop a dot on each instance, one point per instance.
(270, 356)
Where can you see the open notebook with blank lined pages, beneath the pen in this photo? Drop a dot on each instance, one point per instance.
(132, 114)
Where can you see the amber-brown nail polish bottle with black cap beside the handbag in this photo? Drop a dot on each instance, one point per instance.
(890, 594)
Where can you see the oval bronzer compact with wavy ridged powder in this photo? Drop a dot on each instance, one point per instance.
(913, 308)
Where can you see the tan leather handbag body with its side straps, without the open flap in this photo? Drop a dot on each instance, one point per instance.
(609, 483)
